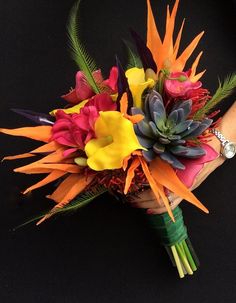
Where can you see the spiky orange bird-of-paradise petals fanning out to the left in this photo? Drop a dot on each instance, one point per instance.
(54, 163)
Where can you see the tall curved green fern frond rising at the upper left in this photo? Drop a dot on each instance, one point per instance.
(79, 54)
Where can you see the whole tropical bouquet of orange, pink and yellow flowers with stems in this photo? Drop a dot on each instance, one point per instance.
(145, 126)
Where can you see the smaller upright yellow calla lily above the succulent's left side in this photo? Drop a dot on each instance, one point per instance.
(138, 83)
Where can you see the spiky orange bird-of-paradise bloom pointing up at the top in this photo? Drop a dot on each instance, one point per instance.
(165, 52)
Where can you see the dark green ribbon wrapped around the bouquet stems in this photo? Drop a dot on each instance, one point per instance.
(169, 232)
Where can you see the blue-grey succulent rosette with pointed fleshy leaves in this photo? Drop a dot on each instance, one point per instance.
(165, 134)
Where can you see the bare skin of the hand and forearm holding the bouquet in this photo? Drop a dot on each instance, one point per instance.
(227, 127)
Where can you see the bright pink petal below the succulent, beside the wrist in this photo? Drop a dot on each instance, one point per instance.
(193, 166)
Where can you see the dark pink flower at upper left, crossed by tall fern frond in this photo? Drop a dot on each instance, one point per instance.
(84, 91)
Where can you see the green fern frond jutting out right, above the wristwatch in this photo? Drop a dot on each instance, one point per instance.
(223, 91)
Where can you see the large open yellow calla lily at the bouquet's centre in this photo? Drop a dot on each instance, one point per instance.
(115, 140)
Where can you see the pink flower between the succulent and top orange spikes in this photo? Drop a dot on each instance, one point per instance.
(178, 84)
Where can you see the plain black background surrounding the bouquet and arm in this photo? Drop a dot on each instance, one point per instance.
(105, 252)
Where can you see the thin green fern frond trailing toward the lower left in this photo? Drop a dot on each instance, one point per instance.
(82, 200)
